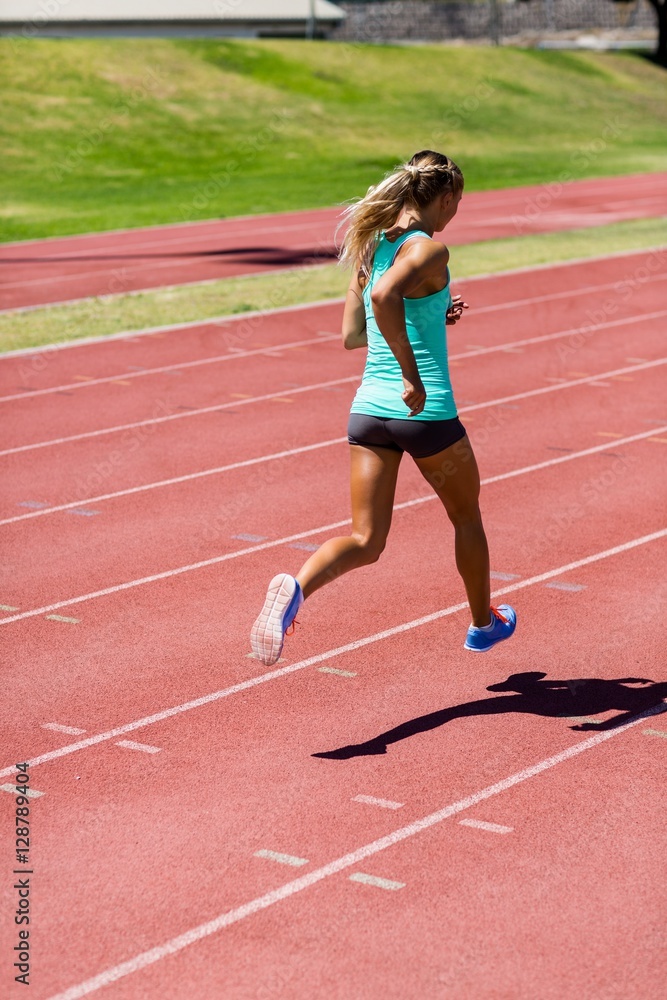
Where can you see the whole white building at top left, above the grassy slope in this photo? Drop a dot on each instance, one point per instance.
(164, 18)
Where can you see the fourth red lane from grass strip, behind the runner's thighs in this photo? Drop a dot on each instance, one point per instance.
(118, 542)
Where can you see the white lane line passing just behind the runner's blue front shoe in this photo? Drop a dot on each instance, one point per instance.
(207, 699)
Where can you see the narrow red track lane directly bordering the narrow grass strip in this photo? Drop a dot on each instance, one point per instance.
(565, 285)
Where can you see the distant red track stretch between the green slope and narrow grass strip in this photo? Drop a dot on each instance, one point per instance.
(68, 268)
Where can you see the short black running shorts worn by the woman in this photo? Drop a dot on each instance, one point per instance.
(420, 438)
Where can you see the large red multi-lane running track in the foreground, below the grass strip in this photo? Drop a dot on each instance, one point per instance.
(163, 871)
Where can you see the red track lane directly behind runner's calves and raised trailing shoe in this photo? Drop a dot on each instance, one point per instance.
(215, 599)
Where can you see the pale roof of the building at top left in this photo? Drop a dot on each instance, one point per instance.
(232, 11)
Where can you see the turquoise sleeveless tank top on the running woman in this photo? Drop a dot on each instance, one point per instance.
(379, 394)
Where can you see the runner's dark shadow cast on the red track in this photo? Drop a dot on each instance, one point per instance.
(532, 696)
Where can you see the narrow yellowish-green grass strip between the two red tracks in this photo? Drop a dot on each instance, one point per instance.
(96, 317)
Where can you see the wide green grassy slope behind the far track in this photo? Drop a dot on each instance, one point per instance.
(99, 134)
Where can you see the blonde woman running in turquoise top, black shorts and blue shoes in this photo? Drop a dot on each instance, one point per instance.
(397, 304)
